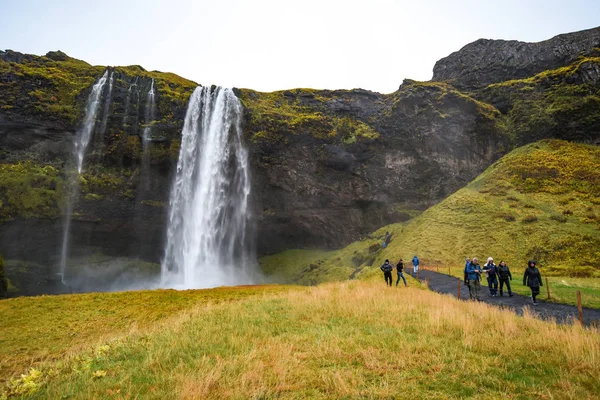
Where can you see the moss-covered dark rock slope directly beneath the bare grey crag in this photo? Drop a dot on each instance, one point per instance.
(562, 103)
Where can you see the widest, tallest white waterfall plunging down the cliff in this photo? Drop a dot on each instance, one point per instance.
(208, 234)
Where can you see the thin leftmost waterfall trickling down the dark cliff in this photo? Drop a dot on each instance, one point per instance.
(80, 145)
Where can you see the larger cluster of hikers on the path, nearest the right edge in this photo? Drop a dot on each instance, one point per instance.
(499, 273)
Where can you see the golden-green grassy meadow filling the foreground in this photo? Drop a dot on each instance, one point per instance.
(339, 340)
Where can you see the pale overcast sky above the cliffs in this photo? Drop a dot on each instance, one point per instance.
(271, 45)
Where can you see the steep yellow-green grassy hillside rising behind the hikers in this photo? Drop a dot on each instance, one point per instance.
(541, 201)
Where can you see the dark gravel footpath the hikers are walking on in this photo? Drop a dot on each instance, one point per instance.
(446, 284)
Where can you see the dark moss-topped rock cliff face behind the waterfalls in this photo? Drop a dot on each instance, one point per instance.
(327, 166)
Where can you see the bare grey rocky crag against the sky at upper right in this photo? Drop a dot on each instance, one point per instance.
(485, 61)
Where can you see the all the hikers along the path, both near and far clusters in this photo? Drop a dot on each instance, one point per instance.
(496, 275)
